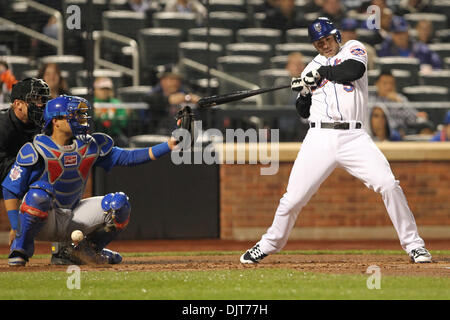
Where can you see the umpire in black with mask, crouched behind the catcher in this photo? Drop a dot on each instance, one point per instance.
(21, 121)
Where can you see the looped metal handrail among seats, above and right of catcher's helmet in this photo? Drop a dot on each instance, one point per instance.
(98, 61)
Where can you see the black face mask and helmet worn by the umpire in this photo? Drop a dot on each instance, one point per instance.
(35, 92)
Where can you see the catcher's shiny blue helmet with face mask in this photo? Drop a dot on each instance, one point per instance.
(74, 109)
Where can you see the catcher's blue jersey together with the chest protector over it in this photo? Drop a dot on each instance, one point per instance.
(66, 168)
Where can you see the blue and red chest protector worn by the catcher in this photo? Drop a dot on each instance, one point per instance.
(67, 168)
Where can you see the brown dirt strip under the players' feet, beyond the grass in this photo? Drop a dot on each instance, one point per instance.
(329, 263)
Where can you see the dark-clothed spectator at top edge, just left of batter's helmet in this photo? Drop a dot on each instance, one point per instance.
(284, 17)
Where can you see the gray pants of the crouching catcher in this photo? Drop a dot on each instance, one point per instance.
(60, 223)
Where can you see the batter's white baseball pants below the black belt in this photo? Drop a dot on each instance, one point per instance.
(321, 152)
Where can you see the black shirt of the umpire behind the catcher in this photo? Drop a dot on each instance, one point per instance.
(13, 135)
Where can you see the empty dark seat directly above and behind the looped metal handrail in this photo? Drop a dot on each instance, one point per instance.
(126, 23)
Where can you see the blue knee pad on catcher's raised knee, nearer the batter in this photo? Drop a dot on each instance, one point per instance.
(119, 206)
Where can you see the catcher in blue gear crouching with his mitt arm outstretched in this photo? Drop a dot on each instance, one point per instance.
(43, 189)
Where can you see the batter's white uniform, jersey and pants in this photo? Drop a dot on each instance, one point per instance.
(324, 149)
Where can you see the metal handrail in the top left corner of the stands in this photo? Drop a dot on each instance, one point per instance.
(57, 43)
